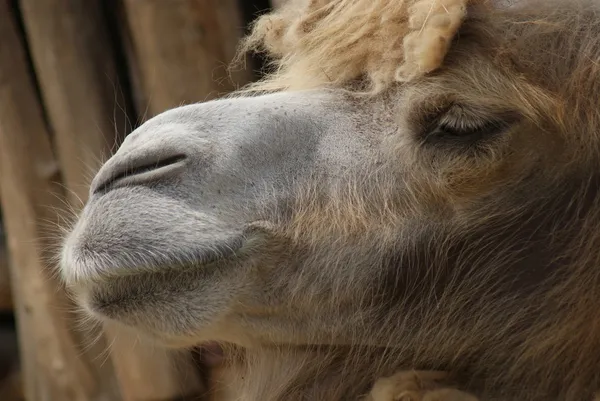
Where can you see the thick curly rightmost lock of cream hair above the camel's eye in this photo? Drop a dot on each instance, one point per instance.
(432, 25)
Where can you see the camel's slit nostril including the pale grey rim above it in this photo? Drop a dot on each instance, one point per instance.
(137, 168)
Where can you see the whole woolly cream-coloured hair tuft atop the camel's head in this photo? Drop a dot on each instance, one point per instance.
(320, 42)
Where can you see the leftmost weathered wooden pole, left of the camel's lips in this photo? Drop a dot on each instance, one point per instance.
(32, 199)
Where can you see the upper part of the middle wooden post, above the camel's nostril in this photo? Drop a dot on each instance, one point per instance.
(74, 62)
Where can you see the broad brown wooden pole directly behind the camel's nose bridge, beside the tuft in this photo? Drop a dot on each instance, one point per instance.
(182, 50)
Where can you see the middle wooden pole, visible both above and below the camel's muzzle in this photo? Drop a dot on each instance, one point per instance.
(76, 67)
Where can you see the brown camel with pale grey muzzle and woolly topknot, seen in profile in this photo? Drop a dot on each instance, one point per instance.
(405, 208)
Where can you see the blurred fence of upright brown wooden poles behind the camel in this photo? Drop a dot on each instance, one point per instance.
(76, 77)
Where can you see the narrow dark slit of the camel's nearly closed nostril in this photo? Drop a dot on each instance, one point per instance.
(138, 171)
